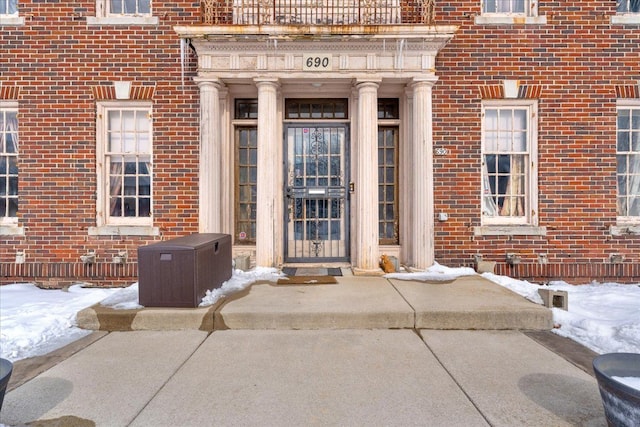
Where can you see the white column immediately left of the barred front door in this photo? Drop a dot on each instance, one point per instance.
(269, 187)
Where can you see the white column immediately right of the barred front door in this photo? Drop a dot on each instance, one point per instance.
(366, 180)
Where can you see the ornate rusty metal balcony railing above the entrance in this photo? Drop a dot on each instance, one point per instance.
(317, 12)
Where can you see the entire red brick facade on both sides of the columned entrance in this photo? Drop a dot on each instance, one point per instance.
(576, 65)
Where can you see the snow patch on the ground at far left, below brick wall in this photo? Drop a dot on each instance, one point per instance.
(35, 321)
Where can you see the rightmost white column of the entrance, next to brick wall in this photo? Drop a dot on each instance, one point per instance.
(421, 238)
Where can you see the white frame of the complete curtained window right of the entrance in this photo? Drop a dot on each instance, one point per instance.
(530, 217)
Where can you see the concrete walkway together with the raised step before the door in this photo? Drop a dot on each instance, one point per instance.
(365, 351)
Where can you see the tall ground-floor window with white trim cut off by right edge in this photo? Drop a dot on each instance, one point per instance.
(628, 162)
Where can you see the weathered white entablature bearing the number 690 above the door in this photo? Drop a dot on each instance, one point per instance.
(400, 51)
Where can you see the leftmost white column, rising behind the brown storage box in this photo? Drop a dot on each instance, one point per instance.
(210, 176)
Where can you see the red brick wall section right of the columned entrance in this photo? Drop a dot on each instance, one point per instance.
(576, 59)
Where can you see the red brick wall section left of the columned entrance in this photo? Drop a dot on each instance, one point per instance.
(55, 60)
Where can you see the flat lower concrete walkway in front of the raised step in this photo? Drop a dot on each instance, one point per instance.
(309, 378)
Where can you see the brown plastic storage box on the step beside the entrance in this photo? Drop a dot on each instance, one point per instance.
(178, 272)
